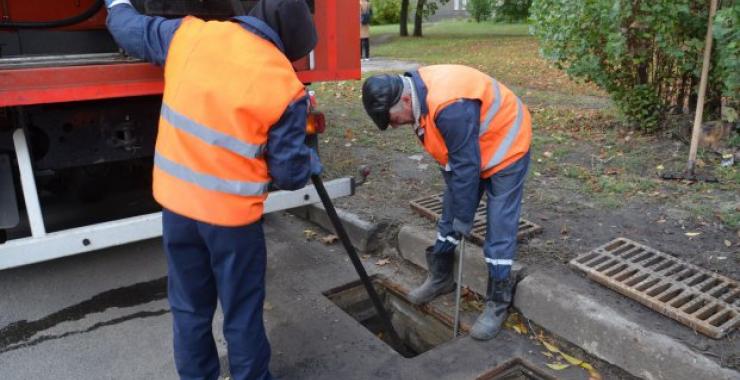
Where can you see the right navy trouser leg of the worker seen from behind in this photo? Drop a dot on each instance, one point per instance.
(239, 260)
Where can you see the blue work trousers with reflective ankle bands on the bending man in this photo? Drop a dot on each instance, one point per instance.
(504, 191)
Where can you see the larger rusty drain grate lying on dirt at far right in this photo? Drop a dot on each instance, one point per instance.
(705, 301)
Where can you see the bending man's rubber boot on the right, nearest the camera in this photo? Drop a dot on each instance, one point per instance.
(498, 299)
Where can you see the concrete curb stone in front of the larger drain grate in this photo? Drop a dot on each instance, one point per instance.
(605, 332)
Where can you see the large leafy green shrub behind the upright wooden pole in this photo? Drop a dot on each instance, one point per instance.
(646, 54)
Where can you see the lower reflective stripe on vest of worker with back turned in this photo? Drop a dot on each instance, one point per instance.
(209, 182)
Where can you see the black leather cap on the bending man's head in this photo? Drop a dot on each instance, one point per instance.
(379, 94)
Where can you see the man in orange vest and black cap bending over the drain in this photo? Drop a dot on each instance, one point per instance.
(480, 133)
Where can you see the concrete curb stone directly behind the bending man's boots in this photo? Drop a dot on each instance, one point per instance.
(412, 242)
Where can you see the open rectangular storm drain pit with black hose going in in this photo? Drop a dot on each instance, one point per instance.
(419, 330)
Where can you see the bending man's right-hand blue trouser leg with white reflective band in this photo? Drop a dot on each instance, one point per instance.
(504, 191)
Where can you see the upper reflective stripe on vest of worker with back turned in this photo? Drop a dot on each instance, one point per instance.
(210, 136)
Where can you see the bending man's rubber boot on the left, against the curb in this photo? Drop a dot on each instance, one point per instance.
(439, 280)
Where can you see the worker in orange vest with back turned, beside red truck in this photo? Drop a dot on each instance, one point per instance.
(233, 120)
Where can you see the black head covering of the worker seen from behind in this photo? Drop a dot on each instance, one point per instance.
(292, 21)
